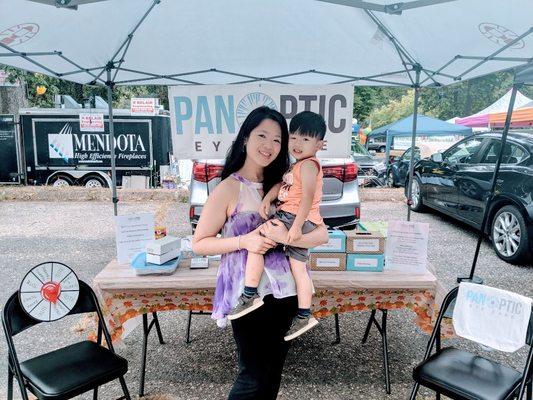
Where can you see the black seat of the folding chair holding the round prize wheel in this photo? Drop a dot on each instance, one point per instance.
(72, 370)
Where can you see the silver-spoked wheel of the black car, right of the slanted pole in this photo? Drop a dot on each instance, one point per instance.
(509, 235)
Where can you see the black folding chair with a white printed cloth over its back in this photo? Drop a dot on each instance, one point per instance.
(459, 374)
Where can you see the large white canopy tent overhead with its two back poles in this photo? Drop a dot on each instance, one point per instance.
(167, 42)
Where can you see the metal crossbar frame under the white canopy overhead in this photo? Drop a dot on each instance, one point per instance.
(410, 64)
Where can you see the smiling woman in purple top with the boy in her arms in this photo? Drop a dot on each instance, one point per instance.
(255, 285)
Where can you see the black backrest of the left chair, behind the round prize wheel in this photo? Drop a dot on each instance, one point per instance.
(16, 320)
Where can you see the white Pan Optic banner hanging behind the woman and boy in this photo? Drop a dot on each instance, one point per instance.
(206, 119)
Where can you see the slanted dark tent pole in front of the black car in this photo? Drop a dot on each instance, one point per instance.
(486, 213)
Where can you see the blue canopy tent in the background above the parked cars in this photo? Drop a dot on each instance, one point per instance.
(425, 126)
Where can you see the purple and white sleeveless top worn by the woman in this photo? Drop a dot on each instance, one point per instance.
(276, 279)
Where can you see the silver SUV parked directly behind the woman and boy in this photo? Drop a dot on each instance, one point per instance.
(340, 205)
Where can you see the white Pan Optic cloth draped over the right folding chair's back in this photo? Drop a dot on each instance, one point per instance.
(492, 317)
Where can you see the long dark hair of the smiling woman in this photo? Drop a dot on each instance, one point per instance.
(236, 155)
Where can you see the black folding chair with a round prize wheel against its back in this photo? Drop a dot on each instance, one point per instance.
(66, 372)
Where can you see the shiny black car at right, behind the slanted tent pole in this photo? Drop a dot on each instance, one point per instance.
(457, 182)
